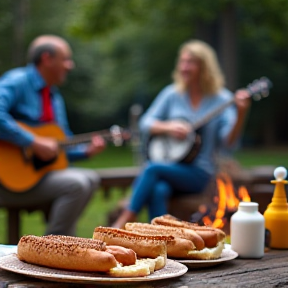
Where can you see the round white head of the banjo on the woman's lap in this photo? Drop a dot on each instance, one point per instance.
(167, 149)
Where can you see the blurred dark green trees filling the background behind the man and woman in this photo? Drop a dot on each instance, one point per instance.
(125, 52)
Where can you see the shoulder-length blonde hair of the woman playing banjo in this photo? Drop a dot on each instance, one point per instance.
(211, 78)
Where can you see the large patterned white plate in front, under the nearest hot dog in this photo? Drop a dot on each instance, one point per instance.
(13, 264)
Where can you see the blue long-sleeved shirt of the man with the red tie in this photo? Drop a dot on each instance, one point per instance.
(20, 100)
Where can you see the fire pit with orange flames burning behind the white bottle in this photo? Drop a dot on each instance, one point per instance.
(220, 200)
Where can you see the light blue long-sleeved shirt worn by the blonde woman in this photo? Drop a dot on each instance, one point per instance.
(170, 104)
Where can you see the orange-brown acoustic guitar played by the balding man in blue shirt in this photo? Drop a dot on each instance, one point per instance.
(21, 170)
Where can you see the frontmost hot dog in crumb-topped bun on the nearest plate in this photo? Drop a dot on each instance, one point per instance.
(82, 254)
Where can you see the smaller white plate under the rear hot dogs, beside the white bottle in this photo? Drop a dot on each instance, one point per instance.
(227, 255)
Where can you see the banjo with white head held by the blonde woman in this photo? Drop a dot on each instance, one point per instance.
(168, 149)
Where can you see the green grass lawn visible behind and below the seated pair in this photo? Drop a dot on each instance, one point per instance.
(96, 212)
